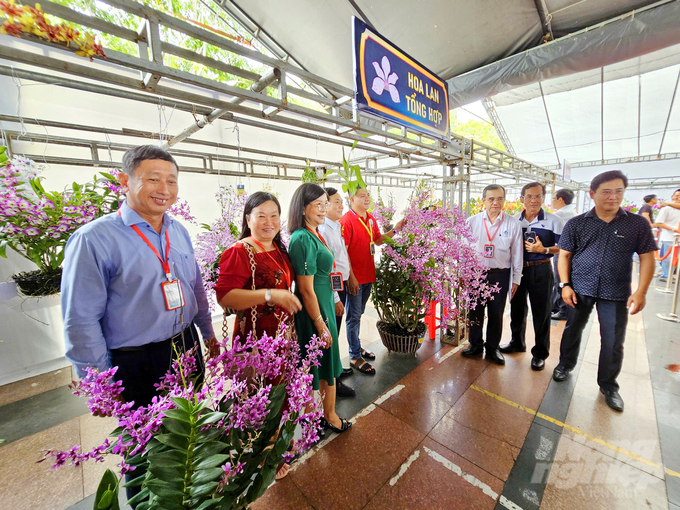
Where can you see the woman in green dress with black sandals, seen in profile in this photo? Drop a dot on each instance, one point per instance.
(312, 260)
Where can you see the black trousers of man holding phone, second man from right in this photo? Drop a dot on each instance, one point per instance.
(537, 283)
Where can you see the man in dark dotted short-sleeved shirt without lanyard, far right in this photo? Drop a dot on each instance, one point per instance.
(596, 267)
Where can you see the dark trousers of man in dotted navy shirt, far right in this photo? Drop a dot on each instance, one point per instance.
(613, 318)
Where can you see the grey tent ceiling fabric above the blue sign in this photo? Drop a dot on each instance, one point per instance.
(449, 37)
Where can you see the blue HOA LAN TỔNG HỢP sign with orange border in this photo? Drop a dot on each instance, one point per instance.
(390, 84)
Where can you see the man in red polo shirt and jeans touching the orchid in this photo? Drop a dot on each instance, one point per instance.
(362, 235)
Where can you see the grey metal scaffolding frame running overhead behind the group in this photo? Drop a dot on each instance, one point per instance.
(391, 150)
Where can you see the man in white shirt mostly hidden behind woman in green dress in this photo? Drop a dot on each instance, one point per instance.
(331, 230)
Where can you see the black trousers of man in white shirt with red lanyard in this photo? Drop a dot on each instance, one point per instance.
(494, 306)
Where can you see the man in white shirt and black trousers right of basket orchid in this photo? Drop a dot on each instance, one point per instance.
(500, 244)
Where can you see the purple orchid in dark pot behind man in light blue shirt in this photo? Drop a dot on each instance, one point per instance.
(37, 223)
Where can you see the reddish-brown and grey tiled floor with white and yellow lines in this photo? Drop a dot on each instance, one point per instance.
(447, 432)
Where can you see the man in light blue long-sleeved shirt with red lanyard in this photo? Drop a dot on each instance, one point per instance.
(120, 295)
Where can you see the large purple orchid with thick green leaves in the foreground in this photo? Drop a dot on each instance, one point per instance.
(213, 447)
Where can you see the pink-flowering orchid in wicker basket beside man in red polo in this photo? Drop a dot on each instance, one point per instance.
(431, 259)
